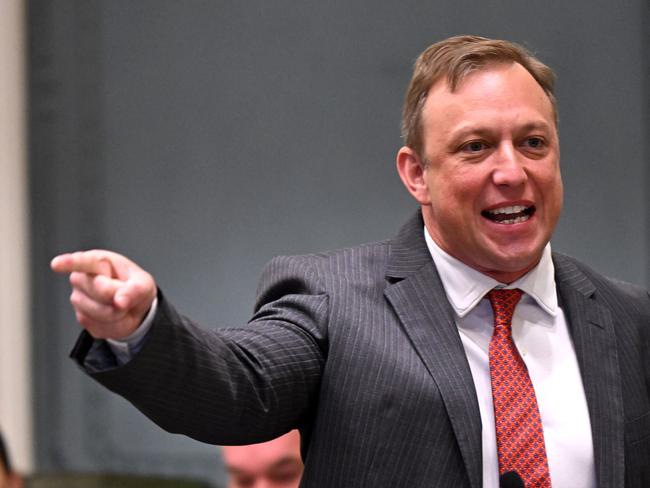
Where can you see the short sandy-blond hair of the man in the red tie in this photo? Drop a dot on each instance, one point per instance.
(454, 58)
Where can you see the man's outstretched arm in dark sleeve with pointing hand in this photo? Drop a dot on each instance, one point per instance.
(225, 386)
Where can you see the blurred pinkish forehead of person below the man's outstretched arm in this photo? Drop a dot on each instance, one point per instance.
(273, 464)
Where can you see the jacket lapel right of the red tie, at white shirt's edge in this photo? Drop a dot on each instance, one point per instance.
(592, 329)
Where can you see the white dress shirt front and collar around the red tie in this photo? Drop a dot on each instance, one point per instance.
(539, 330)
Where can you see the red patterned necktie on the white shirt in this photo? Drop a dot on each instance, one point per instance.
(520, 438)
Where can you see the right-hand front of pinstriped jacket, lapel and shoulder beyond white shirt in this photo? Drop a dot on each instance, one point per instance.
(610, 326)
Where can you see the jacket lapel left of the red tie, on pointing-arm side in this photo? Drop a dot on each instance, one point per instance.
(418, 298)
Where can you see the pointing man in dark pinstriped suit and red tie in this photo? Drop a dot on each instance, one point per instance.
(461, 353)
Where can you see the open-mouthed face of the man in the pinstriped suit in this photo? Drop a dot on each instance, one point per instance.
(493, 191)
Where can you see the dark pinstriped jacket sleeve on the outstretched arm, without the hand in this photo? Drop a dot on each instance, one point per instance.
(228, 386)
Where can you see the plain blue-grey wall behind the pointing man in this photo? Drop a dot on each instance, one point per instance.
(202, 138)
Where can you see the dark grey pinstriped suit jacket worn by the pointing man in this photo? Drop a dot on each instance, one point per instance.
(359, 349)
